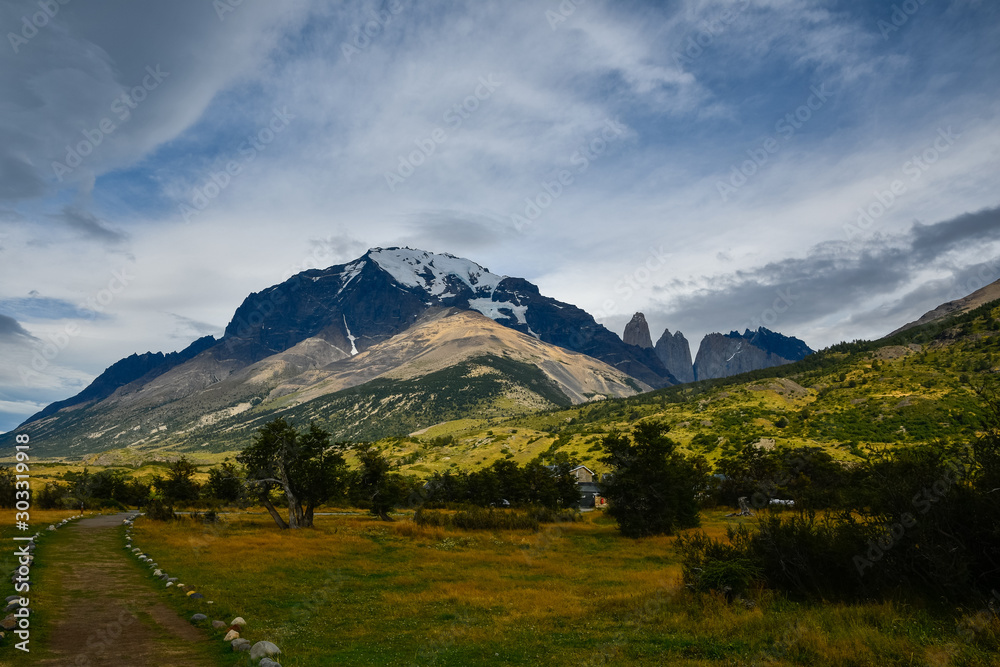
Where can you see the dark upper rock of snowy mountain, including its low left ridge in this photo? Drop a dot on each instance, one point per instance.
(344, 310)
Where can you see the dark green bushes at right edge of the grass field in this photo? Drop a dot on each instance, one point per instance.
(924, 522)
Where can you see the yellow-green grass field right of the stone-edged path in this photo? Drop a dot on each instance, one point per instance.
(357, 591)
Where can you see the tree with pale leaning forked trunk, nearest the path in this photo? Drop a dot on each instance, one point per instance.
(304, 466)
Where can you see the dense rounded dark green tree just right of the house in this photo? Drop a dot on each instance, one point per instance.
(653, 488)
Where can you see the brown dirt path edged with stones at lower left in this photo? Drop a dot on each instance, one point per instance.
(99, 606)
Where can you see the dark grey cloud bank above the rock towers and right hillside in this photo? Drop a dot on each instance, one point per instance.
(837, 277)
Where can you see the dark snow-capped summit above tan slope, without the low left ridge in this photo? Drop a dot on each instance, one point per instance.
(384, 292)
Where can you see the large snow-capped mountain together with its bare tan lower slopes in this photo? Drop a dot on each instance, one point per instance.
(392, 315)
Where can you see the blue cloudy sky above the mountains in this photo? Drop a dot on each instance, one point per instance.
(827, 169)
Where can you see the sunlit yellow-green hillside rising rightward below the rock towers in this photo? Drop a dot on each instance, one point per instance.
(915, 387)
